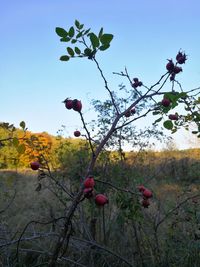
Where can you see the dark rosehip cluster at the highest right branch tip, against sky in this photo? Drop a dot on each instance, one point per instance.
(172, 68)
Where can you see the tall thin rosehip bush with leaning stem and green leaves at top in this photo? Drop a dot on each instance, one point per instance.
(119, 111)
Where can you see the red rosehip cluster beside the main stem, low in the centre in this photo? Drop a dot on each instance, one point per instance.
(88, 191)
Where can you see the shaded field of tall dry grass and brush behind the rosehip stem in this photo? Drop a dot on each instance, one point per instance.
(122, 234)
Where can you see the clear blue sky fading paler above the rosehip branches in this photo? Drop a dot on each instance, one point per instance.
(33, 81)
